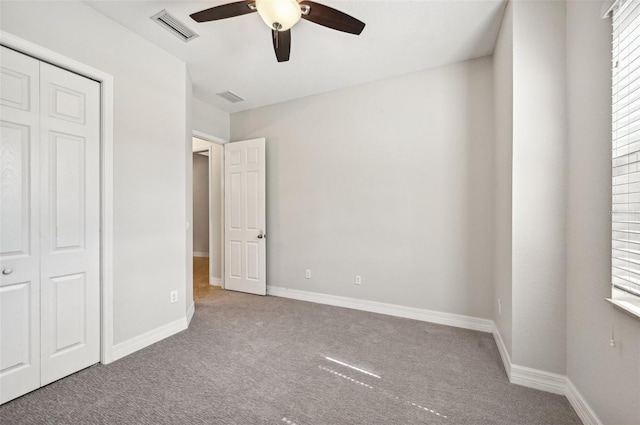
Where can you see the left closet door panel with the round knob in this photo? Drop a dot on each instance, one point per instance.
(19, 226)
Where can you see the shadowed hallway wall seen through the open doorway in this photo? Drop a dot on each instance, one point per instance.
(200, 203)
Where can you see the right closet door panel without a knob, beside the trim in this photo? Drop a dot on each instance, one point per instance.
(70, 222)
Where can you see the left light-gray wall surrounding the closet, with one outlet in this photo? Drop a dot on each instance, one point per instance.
(149, 153)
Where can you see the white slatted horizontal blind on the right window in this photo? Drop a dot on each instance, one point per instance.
(626, 147)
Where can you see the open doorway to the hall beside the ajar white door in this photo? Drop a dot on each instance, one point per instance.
(208, 208)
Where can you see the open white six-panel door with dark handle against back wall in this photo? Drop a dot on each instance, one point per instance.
(245, 217)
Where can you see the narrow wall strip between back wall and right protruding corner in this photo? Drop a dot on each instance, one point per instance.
(503, 89)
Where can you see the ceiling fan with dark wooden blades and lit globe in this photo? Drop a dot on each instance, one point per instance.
(281, 15)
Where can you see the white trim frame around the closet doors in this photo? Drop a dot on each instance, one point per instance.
(106, 174)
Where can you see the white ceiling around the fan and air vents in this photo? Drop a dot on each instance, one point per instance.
(236, 54)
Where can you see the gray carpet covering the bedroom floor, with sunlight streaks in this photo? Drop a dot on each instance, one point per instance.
(264, 360)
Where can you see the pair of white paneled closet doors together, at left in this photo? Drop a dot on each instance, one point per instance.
(50, 224)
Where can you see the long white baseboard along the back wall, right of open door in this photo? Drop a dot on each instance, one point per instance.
(450, 319)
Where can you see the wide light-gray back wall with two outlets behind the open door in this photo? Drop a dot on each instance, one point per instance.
(392, 180)
